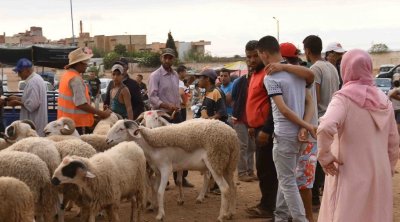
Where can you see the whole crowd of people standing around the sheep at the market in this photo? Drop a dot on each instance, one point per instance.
(303, 126)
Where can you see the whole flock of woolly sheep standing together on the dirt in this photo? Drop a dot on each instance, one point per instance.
(122, 160)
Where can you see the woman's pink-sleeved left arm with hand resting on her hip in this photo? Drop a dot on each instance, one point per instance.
(332, 120)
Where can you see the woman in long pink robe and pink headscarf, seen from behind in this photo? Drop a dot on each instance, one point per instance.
(358, 147)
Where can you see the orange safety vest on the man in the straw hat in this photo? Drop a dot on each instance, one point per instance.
(66, 106)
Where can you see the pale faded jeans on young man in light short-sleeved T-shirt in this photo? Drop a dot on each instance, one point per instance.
(288, 201)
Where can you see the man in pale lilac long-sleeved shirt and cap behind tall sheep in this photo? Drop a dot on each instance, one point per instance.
(163, 93)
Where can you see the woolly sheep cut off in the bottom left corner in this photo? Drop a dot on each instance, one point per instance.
(15, 208)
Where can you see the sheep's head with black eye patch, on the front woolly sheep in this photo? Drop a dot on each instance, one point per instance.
(71, 170)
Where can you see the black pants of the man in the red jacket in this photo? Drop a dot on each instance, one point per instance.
(266, 173)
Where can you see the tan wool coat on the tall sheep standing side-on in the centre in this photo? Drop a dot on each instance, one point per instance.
(219, 140)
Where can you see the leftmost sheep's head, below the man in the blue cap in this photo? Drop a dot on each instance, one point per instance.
(19, 130)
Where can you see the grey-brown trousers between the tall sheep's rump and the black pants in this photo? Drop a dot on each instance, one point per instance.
(247, 149)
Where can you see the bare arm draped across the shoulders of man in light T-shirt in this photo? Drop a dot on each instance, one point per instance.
(300, 71)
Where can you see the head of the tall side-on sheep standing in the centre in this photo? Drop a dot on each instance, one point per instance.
(123, 130)
